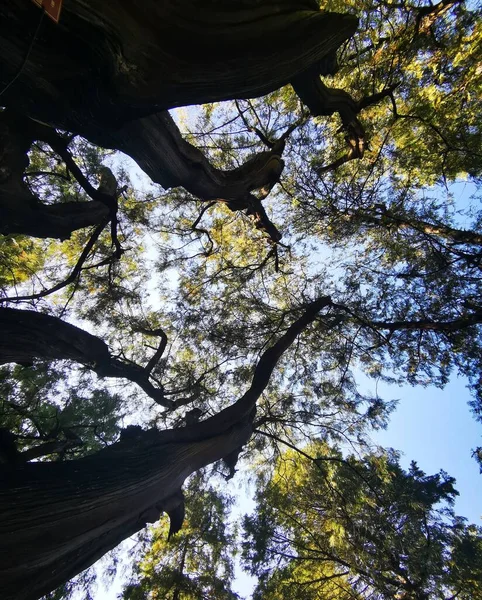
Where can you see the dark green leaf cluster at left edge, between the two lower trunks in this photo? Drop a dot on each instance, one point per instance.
(48, 419)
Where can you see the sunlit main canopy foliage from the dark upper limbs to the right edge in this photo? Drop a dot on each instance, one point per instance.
(371, 233)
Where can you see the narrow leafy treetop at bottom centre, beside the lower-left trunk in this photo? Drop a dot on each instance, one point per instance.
(197, 562)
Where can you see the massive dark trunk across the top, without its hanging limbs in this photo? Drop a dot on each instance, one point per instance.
(110, 62)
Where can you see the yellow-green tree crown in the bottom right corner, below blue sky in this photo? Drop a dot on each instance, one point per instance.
(331, 527)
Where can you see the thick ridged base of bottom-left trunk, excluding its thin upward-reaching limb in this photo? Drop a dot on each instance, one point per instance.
(59, 518)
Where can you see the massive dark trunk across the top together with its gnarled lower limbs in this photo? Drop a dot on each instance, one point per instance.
(108, 71)
